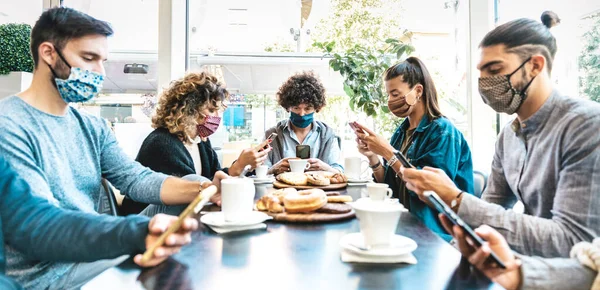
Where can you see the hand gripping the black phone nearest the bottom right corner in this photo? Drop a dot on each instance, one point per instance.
(509, 278)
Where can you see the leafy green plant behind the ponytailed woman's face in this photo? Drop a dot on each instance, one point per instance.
(362, 69)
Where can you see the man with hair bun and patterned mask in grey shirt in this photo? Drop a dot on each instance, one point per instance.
(548, 157)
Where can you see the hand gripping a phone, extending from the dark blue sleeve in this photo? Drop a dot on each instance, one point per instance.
(158, 225)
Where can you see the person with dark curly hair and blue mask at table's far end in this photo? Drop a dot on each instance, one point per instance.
(303, 95)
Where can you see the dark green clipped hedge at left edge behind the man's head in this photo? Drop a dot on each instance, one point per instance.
(14, 48)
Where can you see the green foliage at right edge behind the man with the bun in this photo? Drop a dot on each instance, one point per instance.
(589, 61)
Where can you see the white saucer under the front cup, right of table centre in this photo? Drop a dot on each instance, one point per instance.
(400, 245)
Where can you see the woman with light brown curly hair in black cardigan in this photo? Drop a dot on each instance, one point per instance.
(188, 112)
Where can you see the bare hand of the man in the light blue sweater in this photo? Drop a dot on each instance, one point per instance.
(176, 191)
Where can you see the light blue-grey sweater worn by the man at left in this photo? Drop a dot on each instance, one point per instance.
(63, 159)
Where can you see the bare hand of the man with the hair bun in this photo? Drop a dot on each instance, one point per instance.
(430, 178)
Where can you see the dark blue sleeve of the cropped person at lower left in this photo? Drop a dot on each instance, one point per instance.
(44, 232)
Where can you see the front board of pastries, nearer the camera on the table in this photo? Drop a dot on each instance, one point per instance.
(309, 205)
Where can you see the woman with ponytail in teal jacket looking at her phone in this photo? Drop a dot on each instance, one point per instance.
(425, 137)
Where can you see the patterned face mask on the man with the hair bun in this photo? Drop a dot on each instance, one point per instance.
(499, 93)
